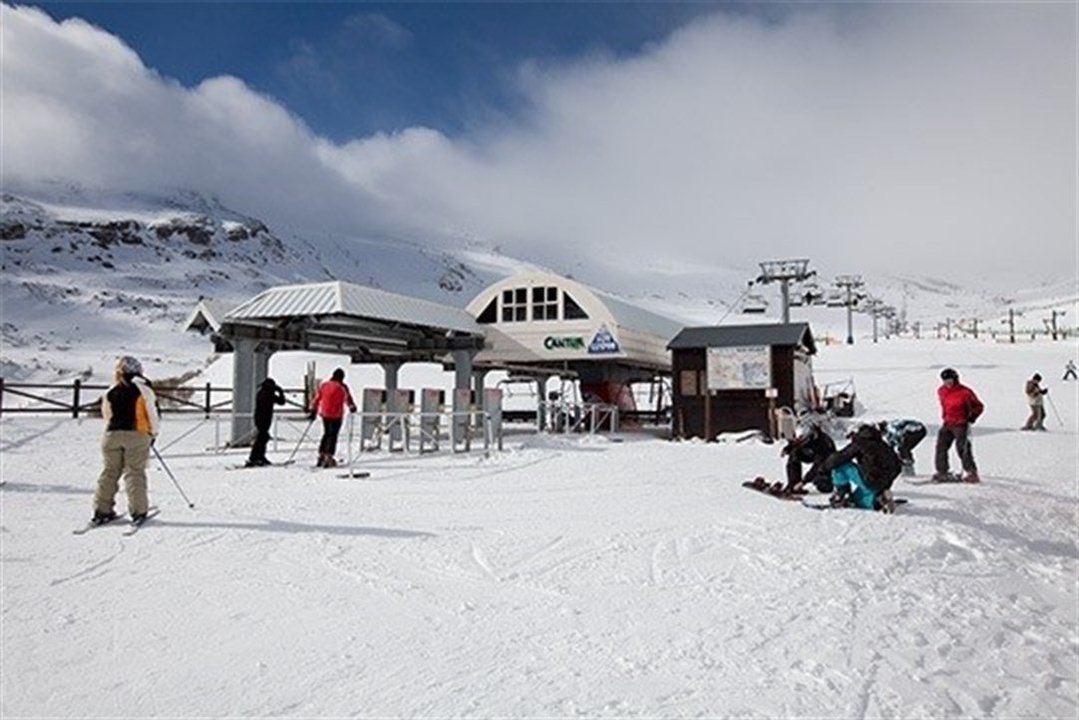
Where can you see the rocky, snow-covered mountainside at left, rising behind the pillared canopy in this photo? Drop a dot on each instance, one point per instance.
(87, 276)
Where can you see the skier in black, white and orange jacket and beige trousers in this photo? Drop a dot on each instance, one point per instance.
(130, 410)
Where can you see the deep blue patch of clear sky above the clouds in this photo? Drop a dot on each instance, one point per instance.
(352, 69)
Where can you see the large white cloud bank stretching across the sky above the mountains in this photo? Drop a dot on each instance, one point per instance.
(935, 139)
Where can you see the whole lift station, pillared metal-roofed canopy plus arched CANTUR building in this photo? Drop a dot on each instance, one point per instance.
(537, 325)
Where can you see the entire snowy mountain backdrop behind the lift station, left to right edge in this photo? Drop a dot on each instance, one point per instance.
(88, 275)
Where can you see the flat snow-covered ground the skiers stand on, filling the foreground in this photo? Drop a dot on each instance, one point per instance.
(564, 577)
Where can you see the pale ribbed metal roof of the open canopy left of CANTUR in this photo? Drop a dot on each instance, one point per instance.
(339, 298)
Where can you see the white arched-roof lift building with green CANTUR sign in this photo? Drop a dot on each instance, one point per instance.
(542, 325)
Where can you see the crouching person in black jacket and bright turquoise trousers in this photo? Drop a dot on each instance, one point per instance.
(864, 471)
